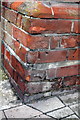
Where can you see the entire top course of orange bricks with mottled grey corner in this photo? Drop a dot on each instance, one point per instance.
(67, 9)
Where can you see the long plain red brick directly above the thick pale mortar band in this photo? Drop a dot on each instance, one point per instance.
(52, 56)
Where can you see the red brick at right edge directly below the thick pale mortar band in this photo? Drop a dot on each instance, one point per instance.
(67, 71)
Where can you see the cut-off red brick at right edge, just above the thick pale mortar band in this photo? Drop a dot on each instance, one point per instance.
(73, 54)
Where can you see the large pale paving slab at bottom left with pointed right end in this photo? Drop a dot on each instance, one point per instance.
(22, 112)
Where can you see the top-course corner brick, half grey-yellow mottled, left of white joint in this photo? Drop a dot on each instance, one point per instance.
(39, 10)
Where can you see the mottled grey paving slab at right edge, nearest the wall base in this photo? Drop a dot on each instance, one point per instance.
(70, 99)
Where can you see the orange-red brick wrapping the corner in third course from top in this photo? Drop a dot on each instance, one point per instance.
(32, 42)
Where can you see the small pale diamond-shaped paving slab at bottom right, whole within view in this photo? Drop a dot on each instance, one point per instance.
(60, 113)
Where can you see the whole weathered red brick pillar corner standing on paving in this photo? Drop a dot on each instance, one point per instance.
(40, 46)
